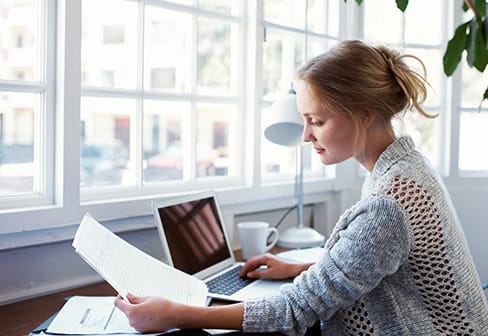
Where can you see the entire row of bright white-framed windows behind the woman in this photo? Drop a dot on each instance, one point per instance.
(172, 96)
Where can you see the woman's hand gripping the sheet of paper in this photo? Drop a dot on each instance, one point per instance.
(148, 314)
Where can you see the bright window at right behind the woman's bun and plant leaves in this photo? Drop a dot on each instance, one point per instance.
(417, 32)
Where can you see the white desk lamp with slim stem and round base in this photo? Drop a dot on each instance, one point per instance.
(286, 130)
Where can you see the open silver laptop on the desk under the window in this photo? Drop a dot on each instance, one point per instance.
(195, 241)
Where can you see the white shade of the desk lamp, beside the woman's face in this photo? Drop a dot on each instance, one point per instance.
(285, 126)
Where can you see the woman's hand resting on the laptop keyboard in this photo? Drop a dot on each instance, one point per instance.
(275, 269)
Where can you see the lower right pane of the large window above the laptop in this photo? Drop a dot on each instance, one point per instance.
(216, 149)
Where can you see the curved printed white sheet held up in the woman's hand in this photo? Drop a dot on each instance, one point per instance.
(129, 270)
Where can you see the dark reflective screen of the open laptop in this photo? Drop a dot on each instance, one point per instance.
(194, 234)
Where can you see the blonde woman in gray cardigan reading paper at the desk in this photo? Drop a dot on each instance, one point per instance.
(396, 262)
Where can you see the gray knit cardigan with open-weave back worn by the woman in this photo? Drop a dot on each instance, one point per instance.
(396, 263)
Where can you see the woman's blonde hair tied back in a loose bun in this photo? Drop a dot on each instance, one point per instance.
(355, 78)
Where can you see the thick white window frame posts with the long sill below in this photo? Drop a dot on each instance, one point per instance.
(55, 220)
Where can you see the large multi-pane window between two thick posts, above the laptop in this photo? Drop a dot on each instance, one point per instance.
(169, 109)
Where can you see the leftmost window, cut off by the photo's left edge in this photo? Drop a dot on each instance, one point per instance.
(25, 94)
